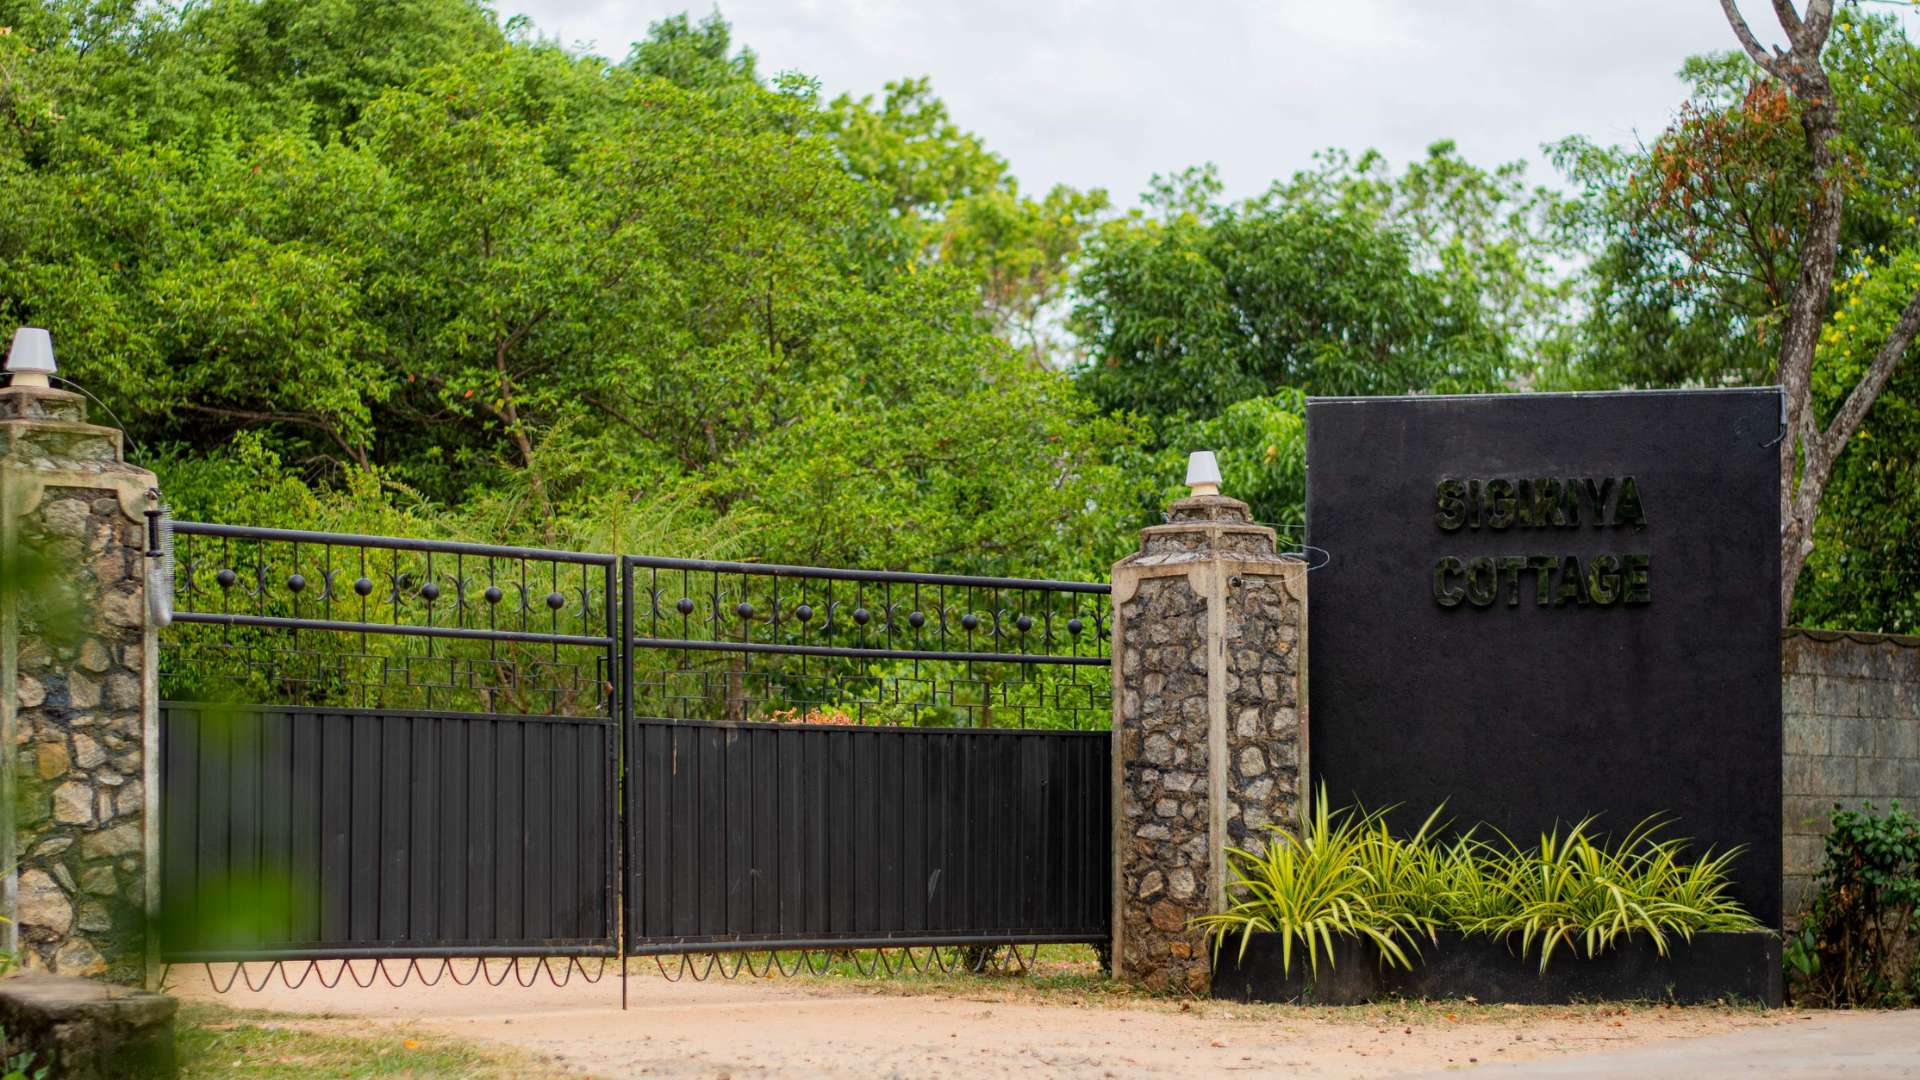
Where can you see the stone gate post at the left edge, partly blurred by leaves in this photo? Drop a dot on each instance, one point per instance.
(78, 691)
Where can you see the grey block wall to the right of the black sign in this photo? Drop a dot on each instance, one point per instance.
(1852, 714)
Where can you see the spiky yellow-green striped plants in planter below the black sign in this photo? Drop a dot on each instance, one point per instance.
(1347, 875)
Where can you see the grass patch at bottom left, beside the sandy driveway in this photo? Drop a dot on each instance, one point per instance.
(218, 1043)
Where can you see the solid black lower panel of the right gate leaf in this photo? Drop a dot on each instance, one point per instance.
(775, 837)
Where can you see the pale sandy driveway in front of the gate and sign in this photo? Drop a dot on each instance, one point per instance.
(1001, 1027)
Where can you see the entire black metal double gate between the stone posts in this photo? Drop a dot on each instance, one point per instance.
(379, 749)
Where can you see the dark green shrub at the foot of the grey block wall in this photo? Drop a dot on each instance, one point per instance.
(1858, 943)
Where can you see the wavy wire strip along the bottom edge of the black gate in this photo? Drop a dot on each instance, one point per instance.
(700, 968)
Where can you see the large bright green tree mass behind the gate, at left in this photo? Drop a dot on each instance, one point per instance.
(475, 276)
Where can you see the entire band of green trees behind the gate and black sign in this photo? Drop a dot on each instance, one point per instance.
(404, 266)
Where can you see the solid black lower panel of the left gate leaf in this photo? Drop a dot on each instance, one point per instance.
(356, 833)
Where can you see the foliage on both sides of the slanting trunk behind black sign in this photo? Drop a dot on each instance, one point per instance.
(1696, 245)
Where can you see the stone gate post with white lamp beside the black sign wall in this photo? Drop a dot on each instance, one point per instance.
(1211, 722)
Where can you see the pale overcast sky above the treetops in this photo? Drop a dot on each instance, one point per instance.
(1107, 93)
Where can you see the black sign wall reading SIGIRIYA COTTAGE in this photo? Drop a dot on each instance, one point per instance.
(1524, 716)
